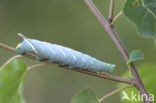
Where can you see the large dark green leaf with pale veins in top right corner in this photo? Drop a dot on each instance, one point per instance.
(143, 14)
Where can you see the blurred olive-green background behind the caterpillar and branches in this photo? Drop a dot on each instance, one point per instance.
(69, 23)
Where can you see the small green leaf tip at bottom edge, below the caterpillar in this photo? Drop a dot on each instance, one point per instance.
(85, 96)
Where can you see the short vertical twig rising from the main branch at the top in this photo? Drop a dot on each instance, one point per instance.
(111, 11)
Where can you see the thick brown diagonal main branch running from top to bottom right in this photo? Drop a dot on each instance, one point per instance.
(114, 36)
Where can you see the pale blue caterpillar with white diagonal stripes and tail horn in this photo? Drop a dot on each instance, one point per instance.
(62, 55)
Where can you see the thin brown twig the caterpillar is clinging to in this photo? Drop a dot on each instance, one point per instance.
(100, 75)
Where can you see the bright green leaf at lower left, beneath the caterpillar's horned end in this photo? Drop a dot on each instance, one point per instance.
(11, 82)
